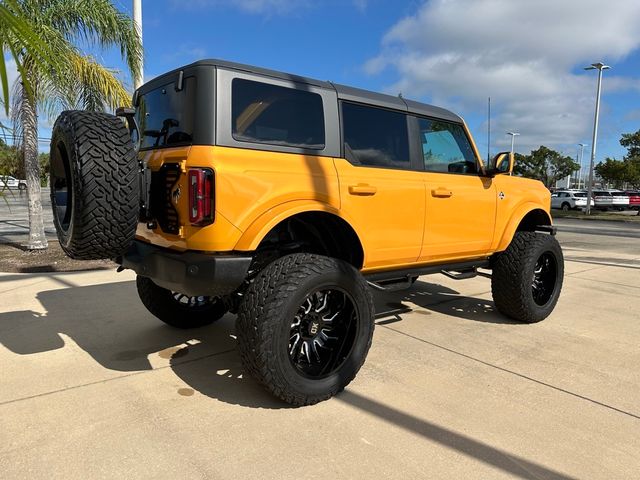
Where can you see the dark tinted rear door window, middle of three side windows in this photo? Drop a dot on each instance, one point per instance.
(375, 137)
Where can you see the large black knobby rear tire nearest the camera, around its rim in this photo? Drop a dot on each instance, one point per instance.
(265, 319)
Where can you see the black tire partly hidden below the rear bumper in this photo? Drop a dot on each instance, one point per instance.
(166, 306)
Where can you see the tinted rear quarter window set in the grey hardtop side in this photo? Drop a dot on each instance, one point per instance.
(265, 113)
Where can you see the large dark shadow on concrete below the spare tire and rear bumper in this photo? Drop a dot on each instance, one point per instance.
(110, 324)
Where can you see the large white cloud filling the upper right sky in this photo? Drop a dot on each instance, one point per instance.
(526, 55)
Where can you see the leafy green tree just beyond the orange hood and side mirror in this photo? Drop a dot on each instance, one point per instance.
(546, 165)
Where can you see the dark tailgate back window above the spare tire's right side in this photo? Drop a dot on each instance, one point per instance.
(166, 116)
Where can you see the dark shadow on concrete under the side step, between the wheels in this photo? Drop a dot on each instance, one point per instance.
(426, 298)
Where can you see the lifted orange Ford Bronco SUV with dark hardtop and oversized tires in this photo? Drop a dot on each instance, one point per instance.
(230, 188)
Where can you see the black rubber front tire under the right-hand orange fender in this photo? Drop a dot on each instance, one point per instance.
(514, 274)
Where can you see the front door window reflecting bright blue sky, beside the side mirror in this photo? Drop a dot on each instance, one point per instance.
(446, 148)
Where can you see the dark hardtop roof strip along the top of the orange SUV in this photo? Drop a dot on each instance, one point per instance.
(344, 92)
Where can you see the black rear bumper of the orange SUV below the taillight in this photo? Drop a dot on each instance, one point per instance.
(191, 273)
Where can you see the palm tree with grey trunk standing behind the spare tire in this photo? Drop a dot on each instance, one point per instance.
(77, 82)
